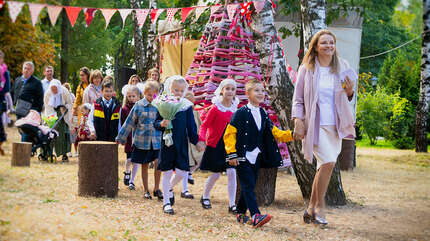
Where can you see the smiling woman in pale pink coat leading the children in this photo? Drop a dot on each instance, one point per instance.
(321, 114)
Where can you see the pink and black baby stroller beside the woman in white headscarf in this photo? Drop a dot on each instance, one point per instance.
(41, 136)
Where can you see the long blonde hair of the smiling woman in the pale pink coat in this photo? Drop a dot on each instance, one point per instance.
(310, 56)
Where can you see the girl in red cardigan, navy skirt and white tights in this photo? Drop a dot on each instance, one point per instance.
(224, 105)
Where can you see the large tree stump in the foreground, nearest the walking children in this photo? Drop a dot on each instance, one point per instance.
(98, 169)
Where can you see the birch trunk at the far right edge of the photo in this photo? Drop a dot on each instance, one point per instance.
(423, 102)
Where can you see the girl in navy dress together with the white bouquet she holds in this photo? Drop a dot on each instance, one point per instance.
(175, 119)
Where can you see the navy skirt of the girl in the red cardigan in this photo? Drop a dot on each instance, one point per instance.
(214, 159)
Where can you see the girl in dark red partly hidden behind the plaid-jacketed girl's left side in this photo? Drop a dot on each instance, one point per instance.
(132, 95)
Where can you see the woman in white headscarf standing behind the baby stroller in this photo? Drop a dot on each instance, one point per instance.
(57, 100)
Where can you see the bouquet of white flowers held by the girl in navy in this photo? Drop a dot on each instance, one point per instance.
(168, 106)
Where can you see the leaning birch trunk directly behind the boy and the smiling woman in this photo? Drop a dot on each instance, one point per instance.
(281, 90)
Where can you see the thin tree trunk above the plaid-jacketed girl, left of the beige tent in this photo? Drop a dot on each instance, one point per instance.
(139, 52)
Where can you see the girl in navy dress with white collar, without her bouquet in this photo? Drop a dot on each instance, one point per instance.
(175, 157)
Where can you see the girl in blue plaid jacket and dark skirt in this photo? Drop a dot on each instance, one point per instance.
(146, 139)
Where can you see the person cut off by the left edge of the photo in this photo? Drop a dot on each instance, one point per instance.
(4, 90)
